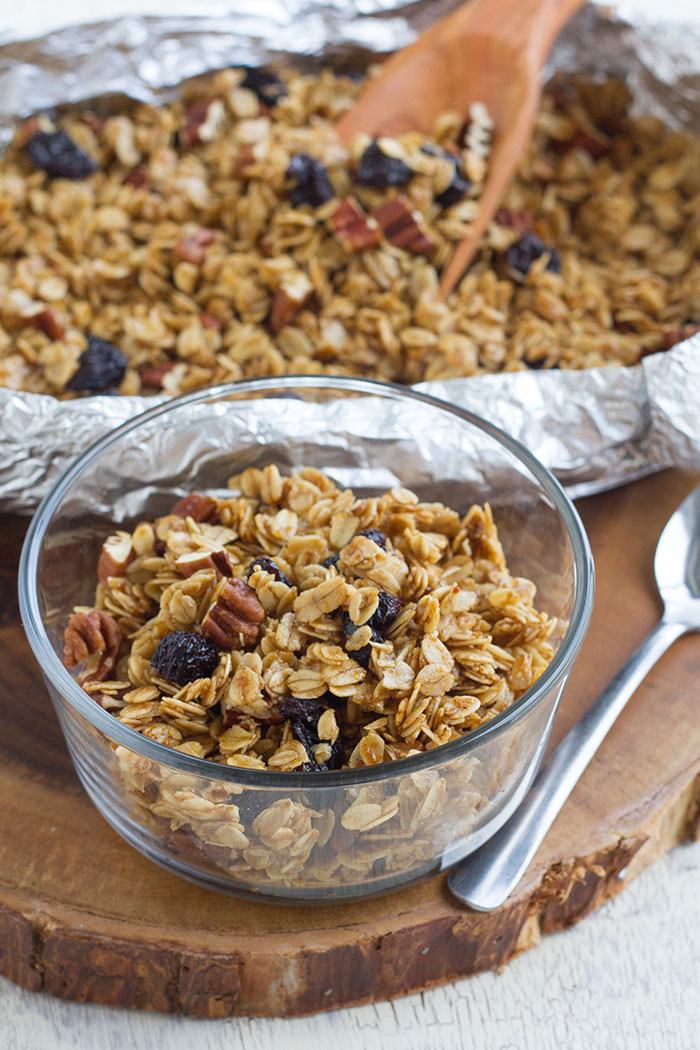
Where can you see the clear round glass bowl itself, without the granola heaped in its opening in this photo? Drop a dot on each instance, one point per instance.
(289, 836)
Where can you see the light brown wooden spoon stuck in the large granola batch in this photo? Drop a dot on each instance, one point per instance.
(489, 51)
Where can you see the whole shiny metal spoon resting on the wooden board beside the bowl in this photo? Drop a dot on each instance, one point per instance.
(487, 878)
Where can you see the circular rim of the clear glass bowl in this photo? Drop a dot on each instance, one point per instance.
(553, 678)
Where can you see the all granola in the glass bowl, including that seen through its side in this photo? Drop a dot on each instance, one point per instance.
(295, 627)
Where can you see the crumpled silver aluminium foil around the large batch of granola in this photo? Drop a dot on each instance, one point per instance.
(596, 430)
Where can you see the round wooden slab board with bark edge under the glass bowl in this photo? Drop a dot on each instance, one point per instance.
(84, 917)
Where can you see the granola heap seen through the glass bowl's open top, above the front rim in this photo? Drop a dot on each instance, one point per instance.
(296, 627)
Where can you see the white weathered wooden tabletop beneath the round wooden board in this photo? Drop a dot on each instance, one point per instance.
(628, 978)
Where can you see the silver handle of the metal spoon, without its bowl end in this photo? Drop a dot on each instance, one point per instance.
(486, 878)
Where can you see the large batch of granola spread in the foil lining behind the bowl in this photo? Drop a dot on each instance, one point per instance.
(229, 236)
